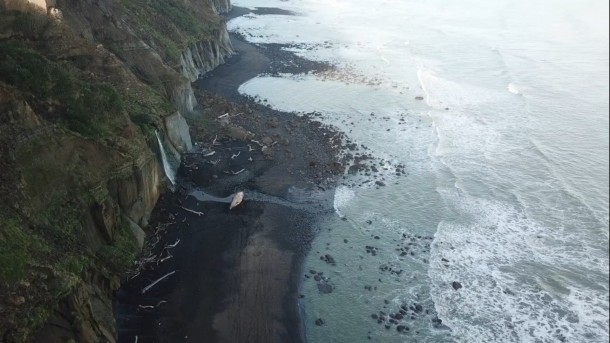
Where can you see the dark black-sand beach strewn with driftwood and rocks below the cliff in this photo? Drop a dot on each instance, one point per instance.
(236, 274)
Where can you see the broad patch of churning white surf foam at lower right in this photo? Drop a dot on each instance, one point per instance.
(522, 281)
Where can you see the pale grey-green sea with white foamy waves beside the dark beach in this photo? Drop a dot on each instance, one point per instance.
(498, 111)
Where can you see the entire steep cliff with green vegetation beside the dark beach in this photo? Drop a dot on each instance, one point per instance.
(84, 85)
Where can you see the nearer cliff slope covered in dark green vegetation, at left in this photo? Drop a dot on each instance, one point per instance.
(65, 138)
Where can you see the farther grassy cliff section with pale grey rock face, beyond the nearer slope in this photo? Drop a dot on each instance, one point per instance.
(149, 55)
